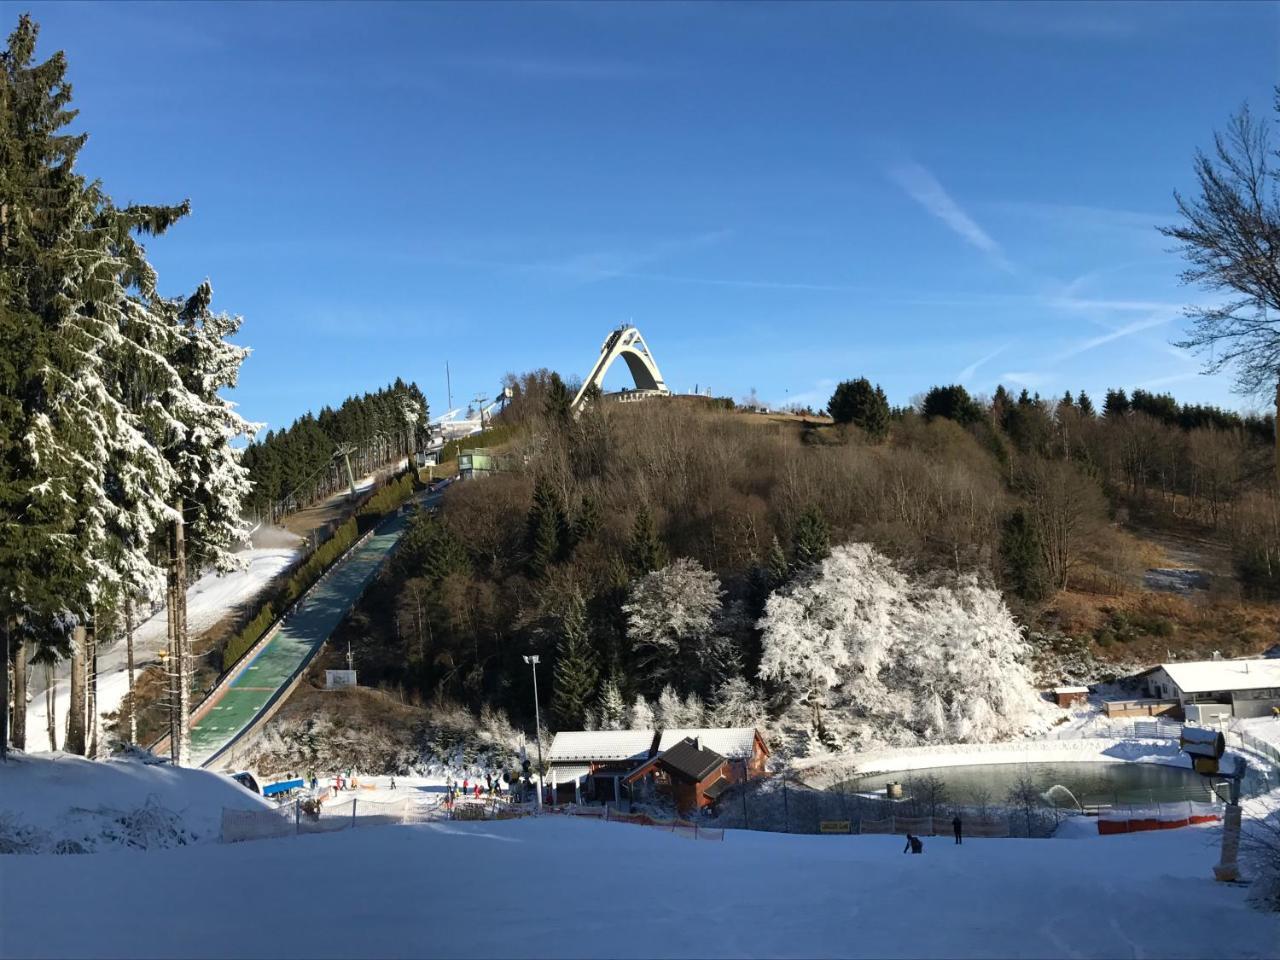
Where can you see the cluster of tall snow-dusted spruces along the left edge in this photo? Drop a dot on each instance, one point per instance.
(103, 391)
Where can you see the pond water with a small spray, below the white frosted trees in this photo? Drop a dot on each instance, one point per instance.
(1092, 784)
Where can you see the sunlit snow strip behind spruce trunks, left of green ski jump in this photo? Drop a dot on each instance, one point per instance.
(209, 600)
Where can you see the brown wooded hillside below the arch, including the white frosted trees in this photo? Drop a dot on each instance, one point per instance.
(675, 557)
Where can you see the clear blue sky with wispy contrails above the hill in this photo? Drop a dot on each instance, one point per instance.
(779, 196)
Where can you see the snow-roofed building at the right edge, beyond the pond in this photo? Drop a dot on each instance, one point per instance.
(1209, 689)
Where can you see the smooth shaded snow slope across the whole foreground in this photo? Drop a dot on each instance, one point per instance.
(575, 888)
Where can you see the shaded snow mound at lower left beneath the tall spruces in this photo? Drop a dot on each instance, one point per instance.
(67, 804)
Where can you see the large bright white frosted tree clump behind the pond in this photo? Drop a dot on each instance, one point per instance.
(874, 657)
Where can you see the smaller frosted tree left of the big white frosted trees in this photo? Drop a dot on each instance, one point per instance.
(671, 624)
